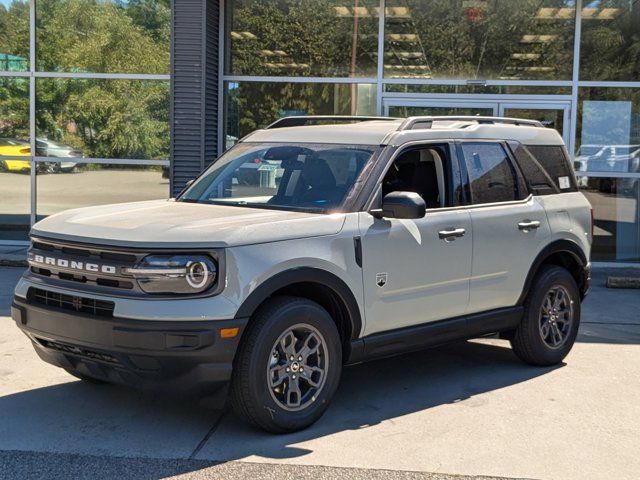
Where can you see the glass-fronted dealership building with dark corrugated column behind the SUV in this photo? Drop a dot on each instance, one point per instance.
(135, 97)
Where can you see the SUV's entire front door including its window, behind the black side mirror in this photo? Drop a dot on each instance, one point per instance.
(417, 271)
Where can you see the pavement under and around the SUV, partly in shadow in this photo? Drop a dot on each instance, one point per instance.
(467, 409)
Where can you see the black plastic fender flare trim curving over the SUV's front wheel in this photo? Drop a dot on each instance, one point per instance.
(304, 275)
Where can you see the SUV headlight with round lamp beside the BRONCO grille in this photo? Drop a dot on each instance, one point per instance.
(177, 274)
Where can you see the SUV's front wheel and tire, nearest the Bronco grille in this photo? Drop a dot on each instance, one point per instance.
(263, 384)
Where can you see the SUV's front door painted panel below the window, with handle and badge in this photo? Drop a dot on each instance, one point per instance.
(427, 277)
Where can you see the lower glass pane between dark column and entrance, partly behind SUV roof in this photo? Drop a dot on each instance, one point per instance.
(253, 105)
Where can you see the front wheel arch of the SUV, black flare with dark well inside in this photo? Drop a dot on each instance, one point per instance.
(320, 286)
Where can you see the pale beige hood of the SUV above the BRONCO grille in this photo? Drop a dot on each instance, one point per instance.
(170, 224)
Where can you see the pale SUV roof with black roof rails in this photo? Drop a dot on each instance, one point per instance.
(389, 132)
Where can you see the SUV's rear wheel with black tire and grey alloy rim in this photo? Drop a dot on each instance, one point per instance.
(542, 338)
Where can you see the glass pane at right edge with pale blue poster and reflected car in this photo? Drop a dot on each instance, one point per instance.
(608, 130)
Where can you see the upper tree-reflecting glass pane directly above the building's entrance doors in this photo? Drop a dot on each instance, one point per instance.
(512, 40)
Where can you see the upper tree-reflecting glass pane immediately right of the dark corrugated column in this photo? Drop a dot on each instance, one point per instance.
(302, 37)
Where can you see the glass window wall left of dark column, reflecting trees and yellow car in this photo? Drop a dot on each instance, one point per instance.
(80, 116)
